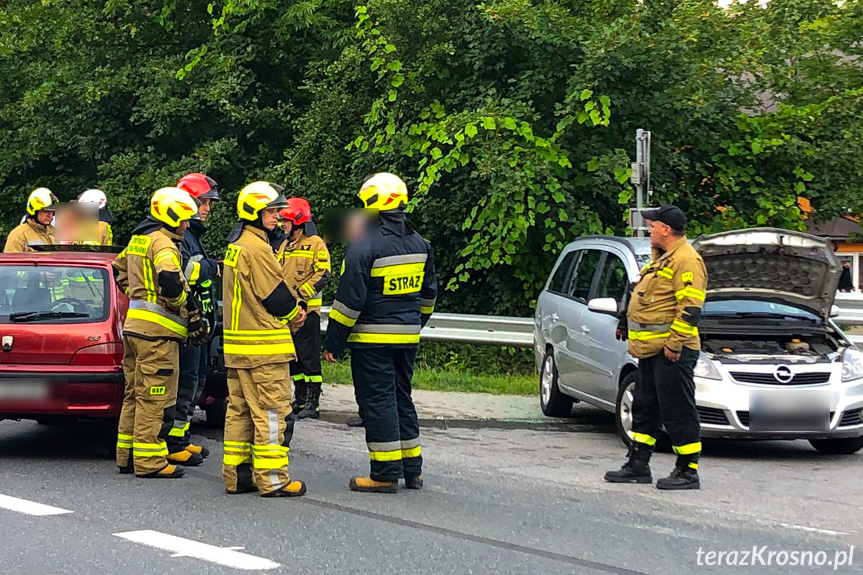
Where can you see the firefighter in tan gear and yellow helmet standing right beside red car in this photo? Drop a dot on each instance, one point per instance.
(161, 315)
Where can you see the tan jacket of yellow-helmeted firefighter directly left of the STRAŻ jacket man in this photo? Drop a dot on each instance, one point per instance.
(257, 304)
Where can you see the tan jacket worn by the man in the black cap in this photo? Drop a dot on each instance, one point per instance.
(665, 306)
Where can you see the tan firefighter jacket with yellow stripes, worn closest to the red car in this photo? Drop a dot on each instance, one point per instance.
(149, 272)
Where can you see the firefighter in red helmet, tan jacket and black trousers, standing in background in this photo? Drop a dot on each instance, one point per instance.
(306, 267)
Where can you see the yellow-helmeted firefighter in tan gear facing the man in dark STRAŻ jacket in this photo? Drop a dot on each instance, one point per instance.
(259, 313)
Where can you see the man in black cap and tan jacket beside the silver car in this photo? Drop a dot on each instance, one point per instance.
(662, 328)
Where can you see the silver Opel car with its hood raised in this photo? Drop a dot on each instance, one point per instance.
(773, 364)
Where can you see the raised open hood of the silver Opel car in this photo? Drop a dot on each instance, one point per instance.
(773, 265)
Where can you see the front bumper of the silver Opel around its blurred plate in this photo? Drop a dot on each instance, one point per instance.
(724, 406)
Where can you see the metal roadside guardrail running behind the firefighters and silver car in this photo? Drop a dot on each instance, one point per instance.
(518, 331)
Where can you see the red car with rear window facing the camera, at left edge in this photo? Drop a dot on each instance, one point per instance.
(61, 344)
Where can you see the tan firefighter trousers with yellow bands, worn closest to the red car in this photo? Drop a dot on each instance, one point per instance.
(152, 370)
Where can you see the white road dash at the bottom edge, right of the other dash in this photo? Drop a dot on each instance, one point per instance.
(180, 547)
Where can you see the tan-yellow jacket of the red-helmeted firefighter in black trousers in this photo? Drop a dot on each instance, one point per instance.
(306, 268)
